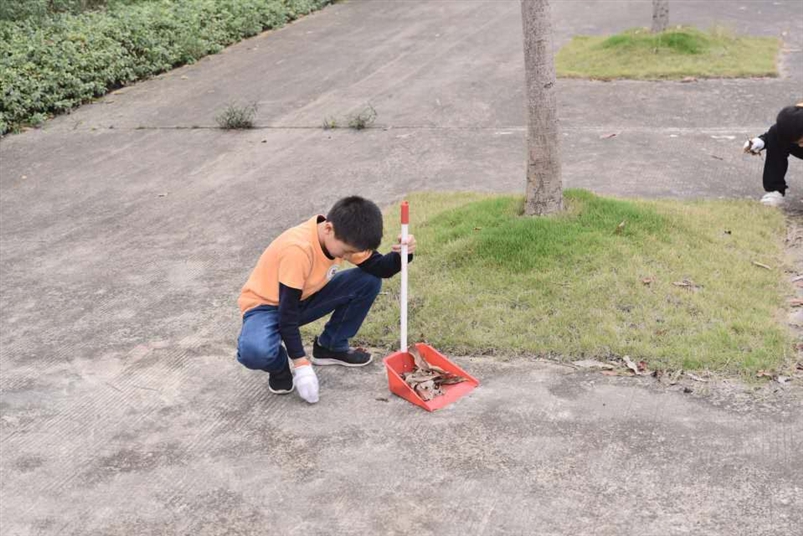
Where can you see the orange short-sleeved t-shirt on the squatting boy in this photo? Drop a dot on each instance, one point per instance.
(295, 259)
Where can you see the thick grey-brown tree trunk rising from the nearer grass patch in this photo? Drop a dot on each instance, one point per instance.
(544, 194)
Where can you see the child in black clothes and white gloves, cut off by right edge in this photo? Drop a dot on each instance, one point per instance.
(785, 137)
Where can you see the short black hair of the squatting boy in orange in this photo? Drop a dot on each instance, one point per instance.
(357, 222)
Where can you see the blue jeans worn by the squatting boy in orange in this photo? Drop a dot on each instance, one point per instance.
(349, 294)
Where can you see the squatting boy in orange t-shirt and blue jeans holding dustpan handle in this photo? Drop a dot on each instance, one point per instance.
(296, 282)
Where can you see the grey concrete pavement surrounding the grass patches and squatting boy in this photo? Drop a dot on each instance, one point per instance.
(125, 235)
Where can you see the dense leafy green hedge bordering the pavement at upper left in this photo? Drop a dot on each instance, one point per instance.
(54, 63)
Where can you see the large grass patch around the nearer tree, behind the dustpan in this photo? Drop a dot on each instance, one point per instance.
(487, 280)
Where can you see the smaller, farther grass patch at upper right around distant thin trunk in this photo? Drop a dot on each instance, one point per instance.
(675, 53)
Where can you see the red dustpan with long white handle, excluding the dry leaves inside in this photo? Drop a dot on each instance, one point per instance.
(400, 362)
